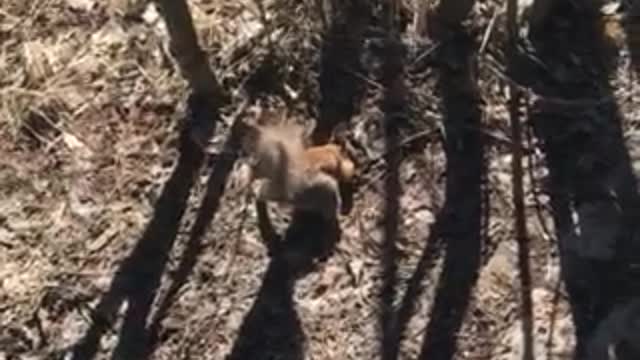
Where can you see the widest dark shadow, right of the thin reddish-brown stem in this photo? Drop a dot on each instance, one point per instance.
(594, 199)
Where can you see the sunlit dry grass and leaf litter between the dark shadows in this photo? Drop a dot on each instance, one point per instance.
(90, 107)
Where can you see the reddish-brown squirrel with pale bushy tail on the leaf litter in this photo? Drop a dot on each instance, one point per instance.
(290, 172)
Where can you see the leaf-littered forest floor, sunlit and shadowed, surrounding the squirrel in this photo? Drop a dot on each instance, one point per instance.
(118, 240)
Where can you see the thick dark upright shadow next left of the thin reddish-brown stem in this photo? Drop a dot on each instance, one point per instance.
(459, 225)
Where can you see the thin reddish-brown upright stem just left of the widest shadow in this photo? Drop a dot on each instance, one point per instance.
(518, 190)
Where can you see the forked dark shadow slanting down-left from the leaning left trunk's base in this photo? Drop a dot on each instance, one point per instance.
(137, 280)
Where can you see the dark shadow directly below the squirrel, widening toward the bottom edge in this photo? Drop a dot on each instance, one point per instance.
(271, 329)
